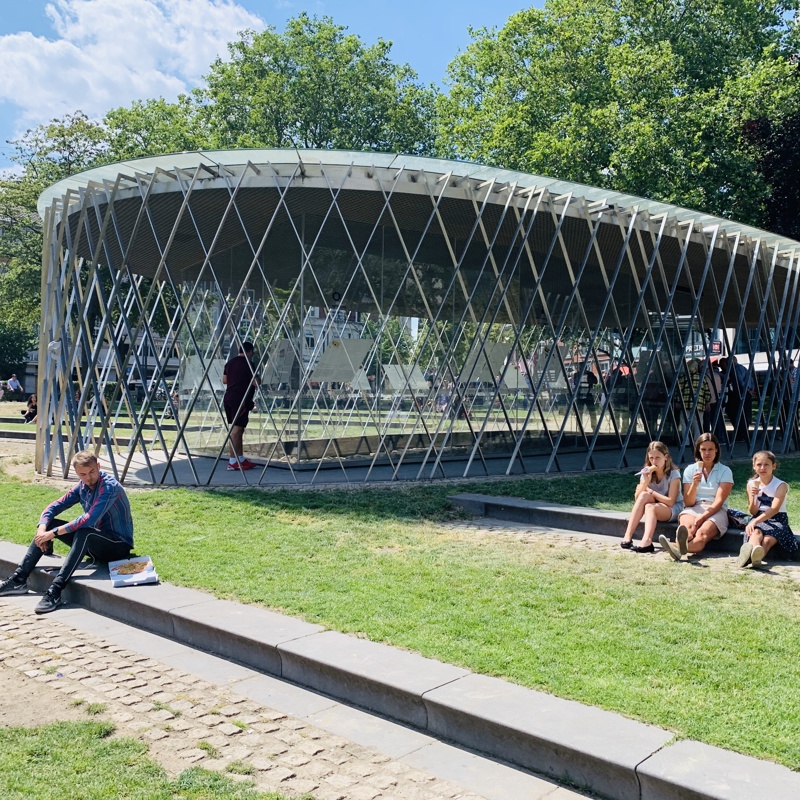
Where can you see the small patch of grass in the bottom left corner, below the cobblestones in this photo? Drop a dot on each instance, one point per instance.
(78, 759)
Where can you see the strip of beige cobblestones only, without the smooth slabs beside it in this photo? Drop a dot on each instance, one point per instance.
(187, 721)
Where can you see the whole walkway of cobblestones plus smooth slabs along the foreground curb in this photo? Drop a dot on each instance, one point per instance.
(196, 709)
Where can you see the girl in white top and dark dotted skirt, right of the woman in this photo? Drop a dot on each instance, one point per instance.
(770, 523)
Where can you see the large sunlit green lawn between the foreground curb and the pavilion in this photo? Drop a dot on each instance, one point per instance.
(712, 654)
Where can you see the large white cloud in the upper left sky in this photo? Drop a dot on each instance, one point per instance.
(107, 53)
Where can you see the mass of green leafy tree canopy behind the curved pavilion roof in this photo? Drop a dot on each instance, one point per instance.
(694, 102)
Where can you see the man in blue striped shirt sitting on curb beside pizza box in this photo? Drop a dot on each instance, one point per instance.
(104, 531)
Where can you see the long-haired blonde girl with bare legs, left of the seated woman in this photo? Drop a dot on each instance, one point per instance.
(657, 497)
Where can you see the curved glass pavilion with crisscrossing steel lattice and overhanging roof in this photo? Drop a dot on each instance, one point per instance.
(413, 319)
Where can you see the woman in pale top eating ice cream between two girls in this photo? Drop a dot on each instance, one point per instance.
(707, 485)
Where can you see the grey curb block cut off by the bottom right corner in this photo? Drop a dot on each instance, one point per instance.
(693, 771)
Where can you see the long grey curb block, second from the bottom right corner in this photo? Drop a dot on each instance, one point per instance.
(584, 746)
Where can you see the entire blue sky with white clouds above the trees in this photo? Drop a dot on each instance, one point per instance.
(58, 56)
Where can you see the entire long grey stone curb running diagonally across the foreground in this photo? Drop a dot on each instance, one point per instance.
(586, 747)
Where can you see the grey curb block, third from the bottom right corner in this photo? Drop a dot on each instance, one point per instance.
(370, 675)
